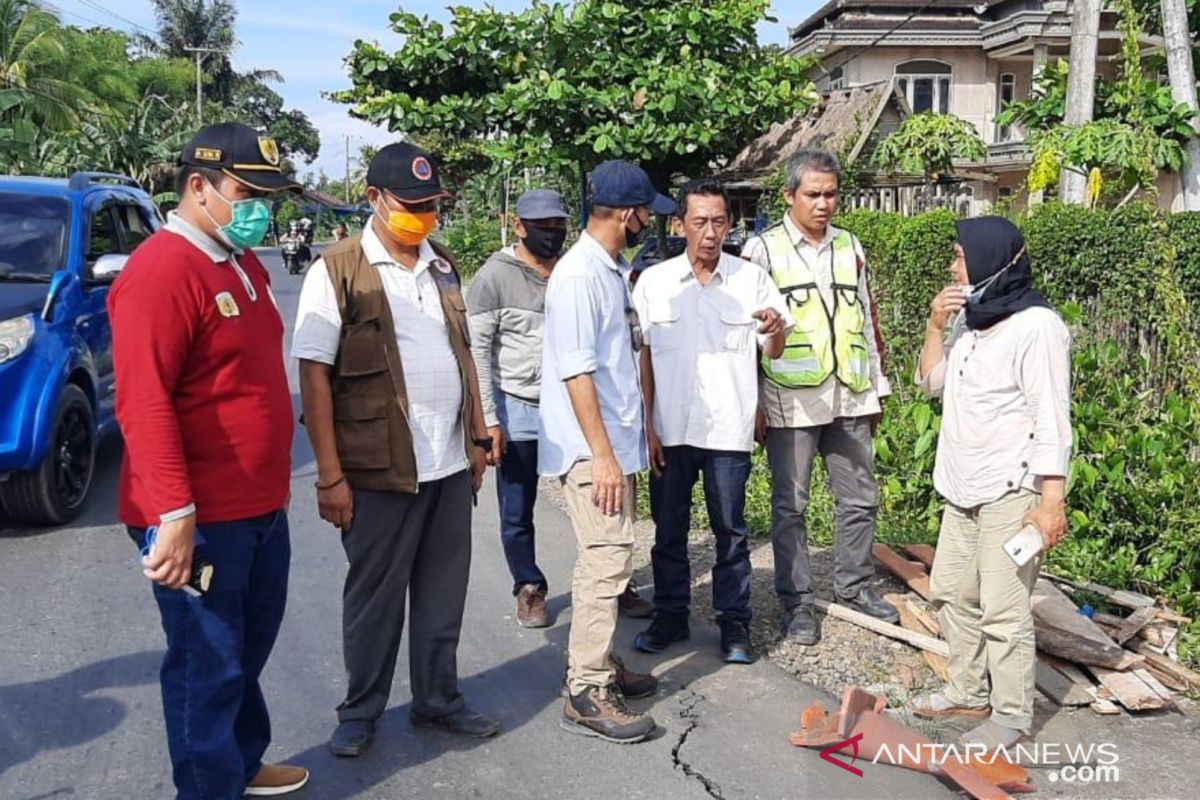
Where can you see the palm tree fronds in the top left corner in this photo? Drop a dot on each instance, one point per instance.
(29, 37)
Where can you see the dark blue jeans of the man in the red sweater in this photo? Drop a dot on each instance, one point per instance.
(218, 726)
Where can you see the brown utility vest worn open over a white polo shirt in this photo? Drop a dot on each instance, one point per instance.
(375, 441)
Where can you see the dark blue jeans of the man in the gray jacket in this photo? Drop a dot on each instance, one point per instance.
(517, 489)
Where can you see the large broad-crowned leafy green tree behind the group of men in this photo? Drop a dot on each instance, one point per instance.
(676, 87)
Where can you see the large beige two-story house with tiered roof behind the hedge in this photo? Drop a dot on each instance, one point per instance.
(967, 58)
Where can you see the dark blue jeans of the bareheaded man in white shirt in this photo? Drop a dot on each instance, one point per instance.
(725, 496)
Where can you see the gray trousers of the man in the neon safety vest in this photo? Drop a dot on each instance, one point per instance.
(850, 460)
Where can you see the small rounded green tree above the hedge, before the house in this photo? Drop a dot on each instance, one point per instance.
(929, 145)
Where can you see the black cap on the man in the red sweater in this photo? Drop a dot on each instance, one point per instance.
(243, 154)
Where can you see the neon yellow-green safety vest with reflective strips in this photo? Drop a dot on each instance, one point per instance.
(824, 344)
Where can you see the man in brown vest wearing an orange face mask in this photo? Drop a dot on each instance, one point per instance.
(392, 406)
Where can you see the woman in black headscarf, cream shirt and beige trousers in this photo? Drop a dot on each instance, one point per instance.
(1004, 372)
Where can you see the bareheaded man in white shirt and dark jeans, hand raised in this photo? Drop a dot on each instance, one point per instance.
(705, 316)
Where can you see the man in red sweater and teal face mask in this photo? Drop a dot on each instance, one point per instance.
(205, 407)
